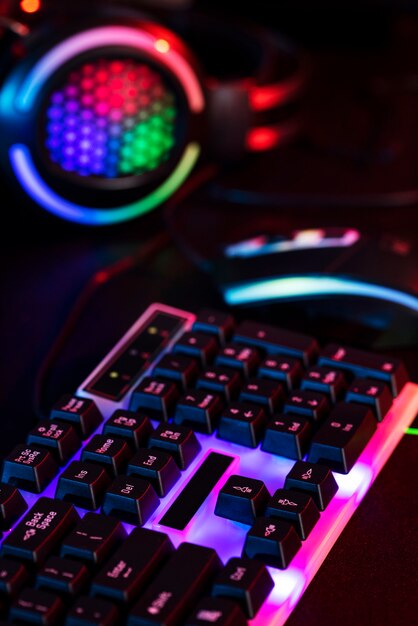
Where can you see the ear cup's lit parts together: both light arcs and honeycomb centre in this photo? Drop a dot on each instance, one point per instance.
(115, 133)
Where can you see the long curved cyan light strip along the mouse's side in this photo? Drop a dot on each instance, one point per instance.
(306, 286)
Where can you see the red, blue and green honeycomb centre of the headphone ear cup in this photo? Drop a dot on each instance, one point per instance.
(111, 118)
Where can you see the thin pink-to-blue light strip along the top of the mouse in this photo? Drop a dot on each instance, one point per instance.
(301, 240)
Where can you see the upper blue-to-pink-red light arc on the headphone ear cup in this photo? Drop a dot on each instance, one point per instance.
(108, 36)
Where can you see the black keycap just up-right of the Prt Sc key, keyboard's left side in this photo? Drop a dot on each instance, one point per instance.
(61, 440)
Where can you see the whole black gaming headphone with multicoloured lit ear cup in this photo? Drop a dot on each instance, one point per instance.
(104, 112)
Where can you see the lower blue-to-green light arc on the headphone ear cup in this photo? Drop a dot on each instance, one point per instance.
(31, 181)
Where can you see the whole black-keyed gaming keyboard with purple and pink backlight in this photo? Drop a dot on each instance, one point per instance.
(200, 475)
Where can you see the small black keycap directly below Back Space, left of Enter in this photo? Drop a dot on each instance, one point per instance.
(63, 576)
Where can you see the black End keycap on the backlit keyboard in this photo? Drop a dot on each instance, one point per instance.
(157, 467)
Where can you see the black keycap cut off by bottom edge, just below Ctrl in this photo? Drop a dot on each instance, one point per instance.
(219, 611)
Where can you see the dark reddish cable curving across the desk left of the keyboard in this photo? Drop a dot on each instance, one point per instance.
(98, 280)
